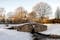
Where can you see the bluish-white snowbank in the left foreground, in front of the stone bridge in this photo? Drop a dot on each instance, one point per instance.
(6, 34)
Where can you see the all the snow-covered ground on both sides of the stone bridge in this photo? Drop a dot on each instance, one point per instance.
(6, 34)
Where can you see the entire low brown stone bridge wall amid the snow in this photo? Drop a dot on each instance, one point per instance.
(30, 27)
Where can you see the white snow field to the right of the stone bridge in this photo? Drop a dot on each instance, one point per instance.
(53, 29)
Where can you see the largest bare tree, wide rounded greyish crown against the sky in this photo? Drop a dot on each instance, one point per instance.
(42, 9)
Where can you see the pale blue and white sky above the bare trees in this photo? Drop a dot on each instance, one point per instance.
(11, 5)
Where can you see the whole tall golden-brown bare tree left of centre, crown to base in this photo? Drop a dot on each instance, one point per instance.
(20, 15)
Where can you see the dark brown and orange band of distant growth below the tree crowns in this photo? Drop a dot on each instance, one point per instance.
(46, 21)
